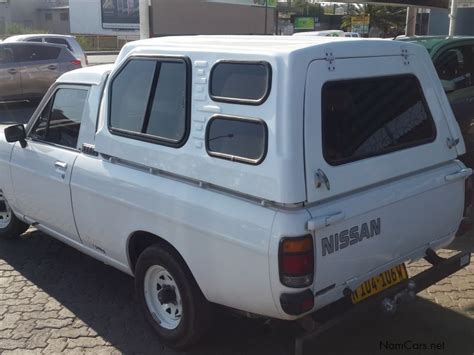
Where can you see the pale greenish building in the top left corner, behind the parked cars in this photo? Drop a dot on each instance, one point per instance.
(36, 15)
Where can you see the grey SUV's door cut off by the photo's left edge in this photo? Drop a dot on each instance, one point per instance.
(10, 79)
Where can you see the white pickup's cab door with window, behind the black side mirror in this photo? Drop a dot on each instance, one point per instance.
(41, 171)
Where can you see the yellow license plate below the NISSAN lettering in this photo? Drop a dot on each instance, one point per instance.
(379, 283)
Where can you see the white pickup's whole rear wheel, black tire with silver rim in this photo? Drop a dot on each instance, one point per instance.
(180, 319)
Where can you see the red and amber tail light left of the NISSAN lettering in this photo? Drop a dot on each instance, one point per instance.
(296, 261)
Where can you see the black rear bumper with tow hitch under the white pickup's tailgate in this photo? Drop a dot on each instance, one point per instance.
(343, 309)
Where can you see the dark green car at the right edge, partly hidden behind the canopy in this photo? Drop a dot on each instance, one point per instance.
(453, 58)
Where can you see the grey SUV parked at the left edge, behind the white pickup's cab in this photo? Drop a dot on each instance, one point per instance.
(27, 70)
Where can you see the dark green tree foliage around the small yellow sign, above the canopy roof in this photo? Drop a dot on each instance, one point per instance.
(389, 20)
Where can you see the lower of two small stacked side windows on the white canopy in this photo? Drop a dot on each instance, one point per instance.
(237, 139)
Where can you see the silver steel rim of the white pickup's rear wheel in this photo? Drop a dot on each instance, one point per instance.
(162, 297)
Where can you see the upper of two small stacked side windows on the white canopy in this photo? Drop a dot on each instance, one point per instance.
(240, 82)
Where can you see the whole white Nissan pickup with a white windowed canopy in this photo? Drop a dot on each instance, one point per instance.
(277, 176)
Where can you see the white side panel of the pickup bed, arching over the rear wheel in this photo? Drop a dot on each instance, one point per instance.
(227, 253)
